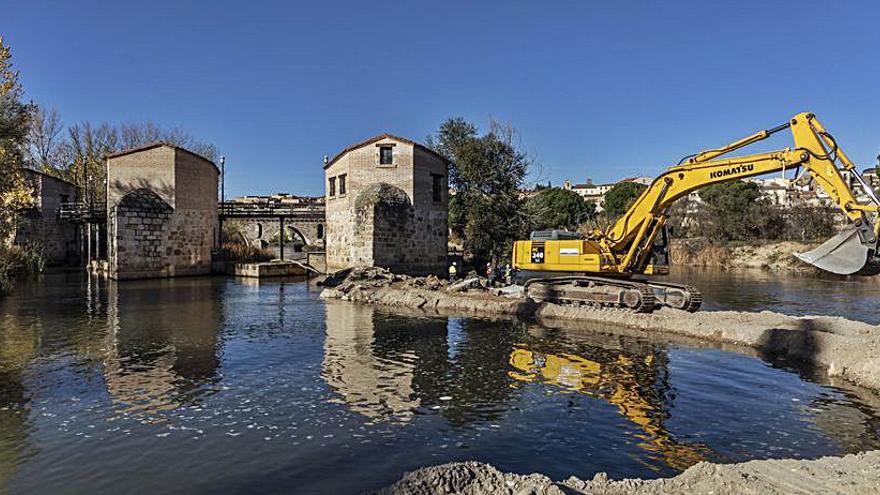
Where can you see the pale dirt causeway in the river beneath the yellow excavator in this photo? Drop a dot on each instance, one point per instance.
(834, 345)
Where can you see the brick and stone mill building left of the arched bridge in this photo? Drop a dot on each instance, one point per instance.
(162, 212)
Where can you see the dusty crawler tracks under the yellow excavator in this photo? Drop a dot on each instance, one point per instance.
(637, 297)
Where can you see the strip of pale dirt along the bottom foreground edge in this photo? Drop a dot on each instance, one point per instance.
(851, 474)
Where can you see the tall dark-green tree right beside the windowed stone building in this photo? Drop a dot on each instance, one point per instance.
(486, 173)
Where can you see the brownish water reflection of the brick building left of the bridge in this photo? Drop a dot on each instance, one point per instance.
(162, 350)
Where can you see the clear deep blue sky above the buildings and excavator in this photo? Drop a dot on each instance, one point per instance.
(597, 89)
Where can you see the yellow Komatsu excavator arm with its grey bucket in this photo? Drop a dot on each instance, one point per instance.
(628, 242)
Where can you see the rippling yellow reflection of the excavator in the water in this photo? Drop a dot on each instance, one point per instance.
(621, 382)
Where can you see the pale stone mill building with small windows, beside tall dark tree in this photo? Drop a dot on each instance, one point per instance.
(386, 203)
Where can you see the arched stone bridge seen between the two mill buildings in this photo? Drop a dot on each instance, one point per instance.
(262, 225)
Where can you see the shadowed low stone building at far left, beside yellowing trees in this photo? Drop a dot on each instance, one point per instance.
(41, 224)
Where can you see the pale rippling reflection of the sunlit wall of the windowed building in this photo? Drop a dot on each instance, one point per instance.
(378, 387)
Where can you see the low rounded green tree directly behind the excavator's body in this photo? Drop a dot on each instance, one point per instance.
(555, 208)
